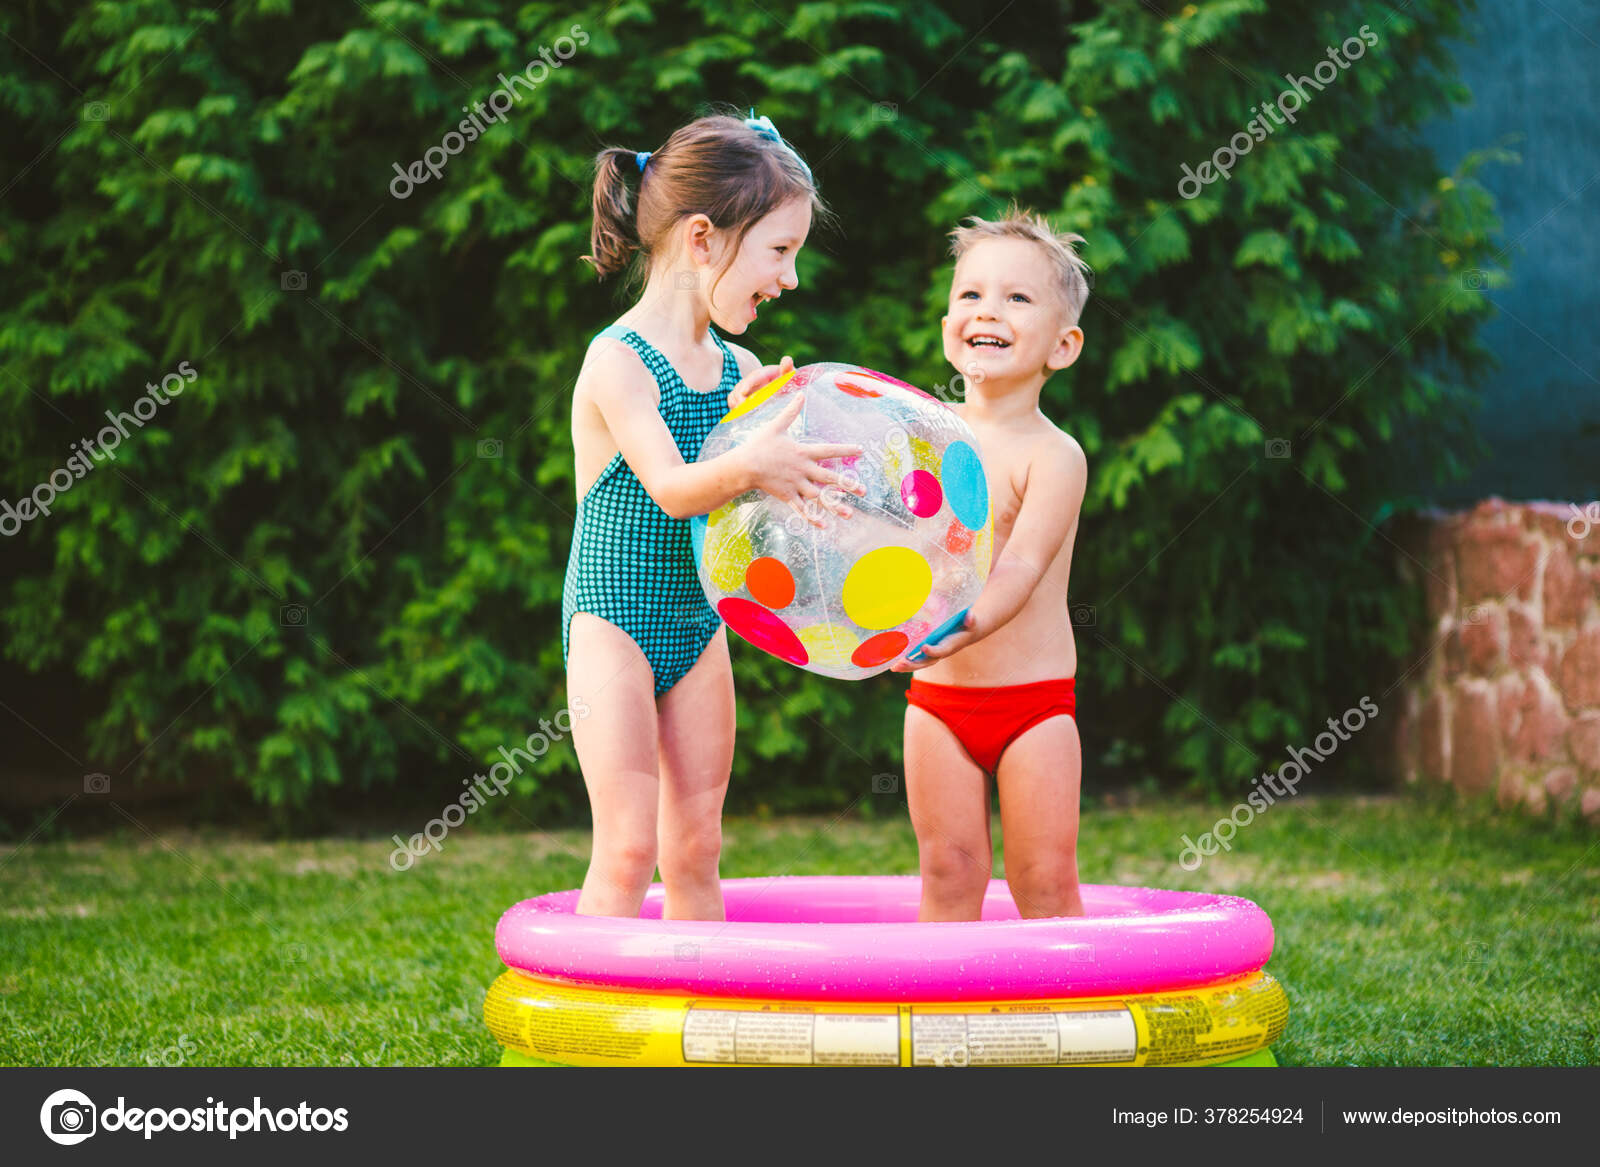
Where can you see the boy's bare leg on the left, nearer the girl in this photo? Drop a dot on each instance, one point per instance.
(950, 809)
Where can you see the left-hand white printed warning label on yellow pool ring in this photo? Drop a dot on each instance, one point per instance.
(770, 1038)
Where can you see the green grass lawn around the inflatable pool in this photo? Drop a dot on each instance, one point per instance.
(1407, 934)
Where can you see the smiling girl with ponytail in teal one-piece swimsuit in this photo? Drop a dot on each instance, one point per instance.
(718, 220)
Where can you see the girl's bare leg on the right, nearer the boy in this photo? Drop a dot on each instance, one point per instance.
(697, 756)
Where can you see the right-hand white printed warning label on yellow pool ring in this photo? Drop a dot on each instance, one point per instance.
(1023, 1037)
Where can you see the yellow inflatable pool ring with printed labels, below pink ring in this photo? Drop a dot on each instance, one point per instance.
(542, 1022)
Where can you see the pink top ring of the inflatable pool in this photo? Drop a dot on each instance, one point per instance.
(858, 939)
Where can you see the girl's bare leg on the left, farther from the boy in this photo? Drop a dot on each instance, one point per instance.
(617, 750)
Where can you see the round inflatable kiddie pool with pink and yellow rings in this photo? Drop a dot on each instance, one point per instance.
(838, 971)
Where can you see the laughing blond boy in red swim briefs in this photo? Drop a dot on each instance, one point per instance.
(998, 697)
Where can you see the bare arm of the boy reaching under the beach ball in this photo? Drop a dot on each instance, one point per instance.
(1057, 481)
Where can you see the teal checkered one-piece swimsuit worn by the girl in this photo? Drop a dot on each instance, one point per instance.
(633, 564)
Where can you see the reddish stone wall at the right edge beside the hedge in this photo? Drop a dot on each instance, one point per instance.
(1505, 694)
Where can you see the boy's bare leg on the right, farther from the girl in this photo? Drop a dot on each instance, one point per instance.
(1039, 817)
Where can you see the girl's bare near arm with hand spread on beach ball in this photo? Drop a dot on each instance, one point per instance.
(774, 462)
